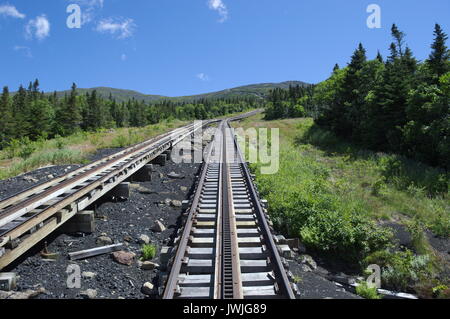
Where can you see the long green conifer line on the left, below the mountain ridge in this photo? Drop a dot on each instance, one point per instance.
(30, 114)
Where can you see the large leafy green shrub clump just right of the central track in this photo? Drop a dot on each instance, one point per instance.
(303, 204)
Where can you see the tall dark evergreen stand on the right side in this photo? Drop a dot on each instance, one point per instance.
(396, 105)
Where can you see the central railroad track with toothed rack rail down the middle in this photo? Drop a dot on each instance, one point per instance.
(226, 250)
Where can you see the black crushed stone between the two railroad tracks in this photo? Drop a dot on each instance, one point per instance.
(133, 218)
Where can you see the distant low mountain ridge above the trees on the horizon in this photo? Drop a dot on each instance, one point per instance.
(121, 95)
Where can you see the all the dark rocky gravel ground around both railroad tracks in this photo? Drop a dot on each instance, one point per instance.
(131, 222)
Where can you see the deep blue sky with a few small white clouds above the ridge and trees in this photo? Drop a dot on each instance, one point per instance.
(184, 47)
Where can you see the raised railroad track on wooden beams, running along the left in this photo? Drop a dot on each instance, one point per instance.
(28, 217)
